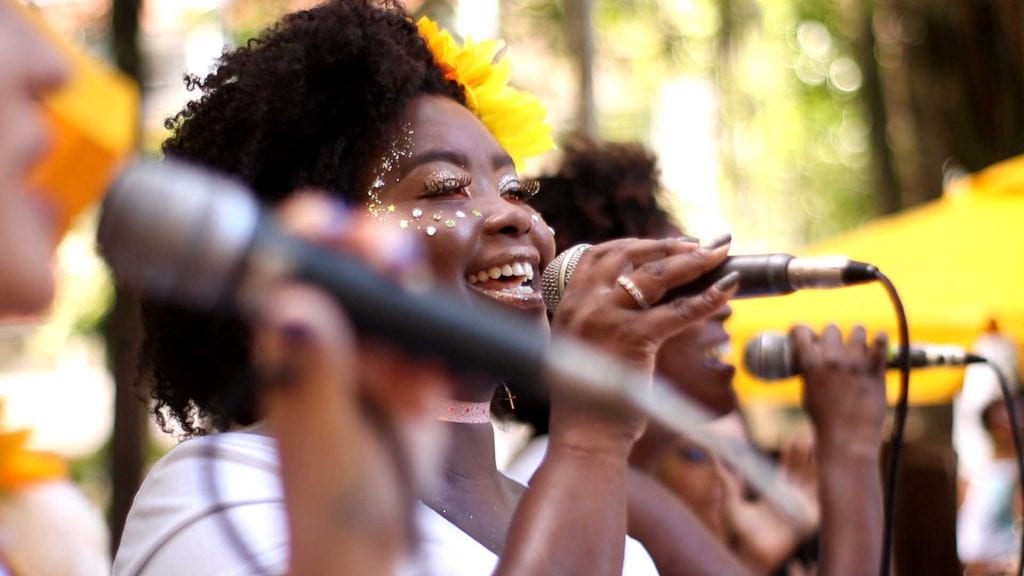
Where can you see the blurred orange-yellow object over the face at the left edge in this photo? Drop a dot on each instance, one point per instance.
(95, 121)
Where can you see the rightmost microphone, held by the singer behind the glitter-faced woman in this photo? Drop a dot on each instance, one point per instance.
(770, 356)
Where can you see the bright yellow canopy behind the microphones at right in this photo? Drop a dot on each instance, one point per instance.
(958, 264)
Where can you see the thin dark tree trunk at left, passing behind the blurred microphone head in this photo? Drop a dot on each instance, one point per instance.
(122, 330)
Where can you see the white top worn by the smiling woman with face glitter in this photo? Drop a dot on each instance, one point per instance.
(176, 526)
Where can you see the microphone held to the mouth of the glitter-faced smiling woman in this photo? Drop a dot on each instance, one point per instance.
(760, 275)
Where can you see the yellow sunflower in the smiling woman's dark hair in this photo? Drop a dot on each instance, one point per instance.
(517, 119)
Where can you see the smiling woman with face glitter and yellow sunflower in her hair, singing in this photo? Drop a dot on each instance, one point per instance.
(423, 137)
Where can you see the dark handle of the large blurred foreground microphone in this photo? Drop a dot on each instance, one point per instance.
(478, 339)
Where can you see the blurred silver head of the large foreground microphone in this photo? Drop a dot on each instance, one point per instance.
(175, 231)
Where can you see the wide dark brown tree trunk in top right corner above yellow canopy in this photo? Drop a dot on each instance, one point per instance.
(954, 76)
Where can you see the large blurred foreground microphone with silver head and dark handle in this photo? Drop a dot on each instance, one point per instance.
(180, 233)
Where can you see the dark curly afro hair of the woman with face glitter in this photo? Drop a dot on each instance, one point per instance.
(311, 103)
